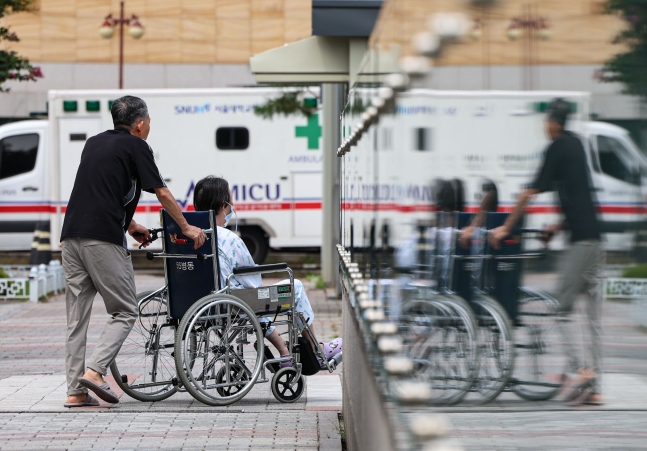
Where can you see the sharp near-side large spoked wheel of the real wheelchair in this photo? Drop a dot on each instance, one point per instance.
(221, 365)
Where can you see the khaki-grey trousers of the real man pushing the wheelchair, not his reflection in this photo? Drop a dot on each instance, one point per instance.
(92, 266)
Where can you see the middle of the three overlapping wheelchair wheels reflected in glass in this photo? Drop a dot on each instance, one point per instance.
(496, 343)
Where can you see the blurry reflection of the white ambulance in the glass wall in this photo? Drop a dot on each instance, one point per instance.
(473, 136)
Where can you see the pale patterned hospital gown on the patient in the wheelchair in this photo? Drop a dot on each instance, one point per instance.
(233, 253)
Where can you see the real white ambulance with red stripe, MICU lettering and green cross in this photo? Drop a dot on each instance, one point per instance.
(273, 166)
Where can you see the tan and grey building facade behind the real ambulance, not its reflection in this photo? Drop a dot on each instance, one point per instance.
(187, 44)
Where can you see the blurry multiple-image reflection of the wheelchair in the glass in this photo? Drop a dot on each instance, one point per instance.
(513, 343)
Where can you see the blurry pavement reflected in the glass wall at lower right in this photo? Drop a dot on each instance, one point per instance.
(510, 423)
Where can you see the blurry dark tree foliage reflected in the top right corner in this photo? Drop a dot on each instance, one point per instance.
(630, 67)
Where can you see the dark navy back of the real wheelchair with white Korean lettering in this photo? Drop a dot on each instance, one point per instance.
(189, 279)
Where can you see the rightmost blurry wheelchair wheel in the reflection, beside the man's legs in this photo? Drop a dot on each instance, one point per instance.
(540, 360)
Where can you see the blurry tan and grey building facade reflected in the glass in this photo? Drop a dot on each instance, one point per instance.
(557, 46)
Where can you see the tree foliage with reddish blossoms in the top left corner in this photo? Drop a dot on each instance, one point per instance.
(12, 65)
